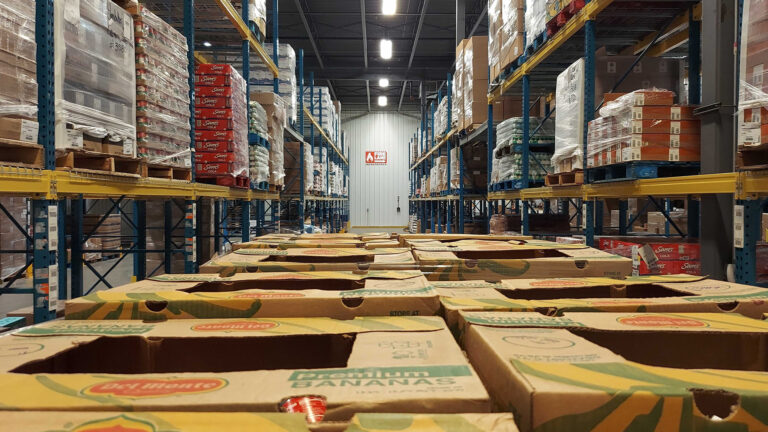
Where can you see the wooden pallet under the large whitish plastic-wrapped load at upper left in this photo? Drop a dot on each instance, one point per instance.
(84, 161)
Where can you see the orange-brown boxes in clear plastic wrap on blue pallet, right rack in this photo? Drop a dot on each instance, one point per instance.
(644, 126)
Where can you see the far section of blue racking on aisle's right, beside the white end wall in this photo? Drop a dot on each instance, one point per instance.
(440, 210)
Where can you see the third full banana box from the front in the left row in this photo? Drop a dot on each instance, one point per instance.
(310, 259)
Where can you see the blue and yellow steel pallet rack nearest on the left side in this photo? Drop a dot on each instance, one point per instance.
(52, 192)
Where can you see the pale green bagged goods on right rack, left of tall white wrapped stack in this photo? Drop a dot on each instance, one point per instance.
(508, 150)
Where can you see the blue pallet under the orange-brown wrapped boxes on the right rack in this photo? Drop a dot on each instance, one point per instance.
(641, 170)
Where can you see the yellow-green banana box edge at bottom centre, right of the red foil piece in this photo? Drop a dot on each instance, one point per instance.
(433, 423)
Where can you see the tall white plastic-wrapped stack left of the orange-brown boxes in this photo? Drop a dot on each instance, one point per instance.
(569, 128)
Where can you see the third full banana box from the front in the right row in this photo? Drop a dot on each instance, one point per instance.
(493, 261)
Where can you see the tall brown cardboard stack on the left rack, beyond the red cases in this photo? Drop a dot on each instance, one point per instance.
(274, 105)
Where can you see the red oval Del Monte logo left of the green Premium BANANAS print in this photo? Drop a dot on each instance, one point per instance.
(160, 387)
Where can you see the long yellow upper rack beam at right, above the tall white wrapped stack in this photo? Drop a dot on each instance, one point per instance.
(573, 26)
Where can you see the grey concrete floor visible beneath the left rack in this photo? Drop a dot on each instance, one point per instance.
(121, 275)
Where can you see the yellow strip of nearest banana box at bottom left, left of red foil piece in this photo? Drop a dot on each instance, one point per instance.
(63, 421)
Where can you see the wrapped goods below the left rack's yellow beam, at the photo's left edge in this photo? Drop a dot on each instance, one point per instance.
(11, 238)
